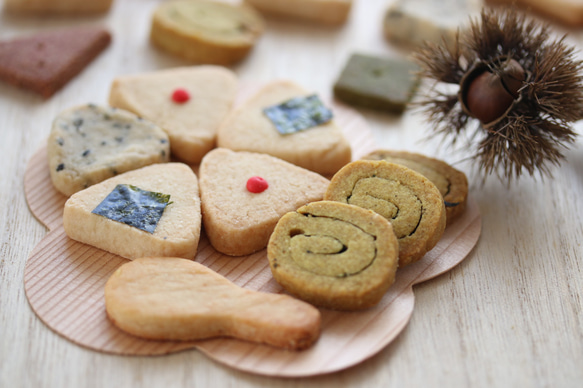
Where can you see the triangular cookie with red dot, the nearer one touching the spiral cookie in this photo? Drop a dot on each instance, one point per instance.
(244, 194)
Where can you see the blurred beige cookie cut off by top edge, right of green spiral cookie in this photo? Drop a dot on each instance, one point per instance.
(318, 11)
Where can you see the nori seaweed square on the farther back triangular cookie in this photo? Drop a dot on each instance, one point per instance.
(298, 114)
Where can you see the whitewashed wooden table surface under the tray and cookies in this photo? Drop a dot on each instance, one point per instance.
(511, 314)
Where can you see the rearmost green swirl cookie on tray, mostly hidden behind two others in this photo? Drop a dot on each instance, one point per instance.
(451, 183)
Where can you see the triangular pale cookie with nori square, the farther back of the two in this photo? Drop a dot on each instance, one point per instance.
(286, 121)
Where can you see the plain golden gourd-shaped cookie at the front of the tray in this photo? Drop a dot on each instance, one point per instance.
(176, 299)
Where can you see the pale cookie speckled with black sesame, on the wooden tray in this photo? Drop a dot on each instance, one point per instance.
(91, 143)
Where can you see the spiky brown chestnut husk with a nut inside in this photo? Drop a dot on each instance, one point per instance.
(530, 125)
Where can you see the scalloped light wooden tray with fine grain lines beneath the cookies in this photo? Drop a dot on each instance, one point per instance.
(64, 282)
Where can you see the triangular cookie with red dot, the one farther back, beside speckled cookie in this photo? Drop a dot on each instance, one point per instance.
(189, 103)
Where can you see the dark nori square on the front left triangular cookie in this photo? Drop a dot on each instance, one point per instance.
(133, 206)
